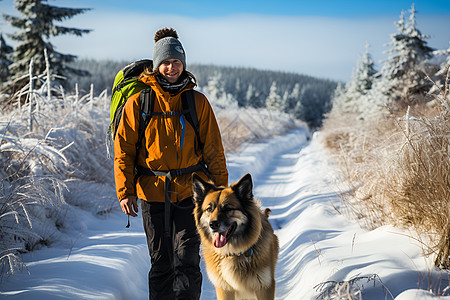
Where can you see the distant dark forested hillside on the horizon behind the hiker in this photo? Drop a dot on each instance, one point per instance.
(304, 97)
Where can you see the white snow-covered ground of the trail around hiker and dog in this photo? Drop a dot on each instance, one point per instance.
(322, 253)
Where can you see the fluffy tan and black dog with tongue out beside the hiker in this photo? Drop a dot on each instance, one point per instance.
(239, 246)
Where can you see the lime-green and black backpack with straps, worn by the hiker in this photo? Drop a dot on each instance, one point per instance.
(125, 85)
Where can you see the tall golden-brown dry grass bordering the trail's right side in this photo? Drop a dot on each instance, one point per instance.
(398, 166)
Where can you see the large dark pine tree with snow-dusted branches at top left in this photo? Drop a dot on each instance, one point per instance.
(36, 26)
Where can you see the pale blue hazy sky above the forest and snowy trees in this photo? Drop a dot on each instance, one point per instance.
(319, 38)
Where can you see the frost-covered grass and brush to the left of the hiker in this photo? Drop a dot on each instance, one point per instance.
(47, 152)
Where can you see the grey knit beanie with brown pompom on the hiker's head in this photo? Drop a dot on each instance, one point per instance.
(167, 46)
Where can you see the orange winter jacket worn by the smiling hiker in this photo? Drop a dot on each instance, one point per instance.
(161, 148)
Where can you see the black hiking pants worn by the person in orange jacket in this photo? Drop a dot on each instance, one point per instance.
(175, 262)
